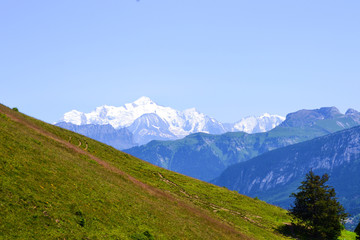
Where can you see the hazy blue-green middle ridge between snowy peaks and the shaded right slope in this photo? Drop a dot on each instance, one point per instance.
(205, 156)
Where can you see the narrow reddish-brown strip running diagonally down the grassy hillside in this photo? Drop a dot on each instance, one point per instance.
(150, 189)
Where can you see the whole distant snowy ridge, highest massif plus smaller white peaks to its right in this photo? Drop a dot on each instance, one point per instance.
(147, 121)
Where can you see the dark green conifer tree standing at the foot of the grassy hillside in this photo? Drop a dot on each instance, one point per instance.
(316, 208)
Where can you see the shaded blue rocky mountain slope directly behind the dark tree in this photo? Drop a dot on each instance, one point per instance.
(274, 175)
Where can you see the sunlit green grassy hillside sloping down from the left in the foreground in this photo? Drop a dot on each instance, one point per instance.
(56, 184)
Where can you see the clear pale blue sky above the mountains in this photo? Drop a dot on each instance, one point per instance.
(229, 58)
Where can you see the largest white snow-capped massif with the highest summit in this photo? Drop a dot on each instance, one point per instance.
(178, 123)
